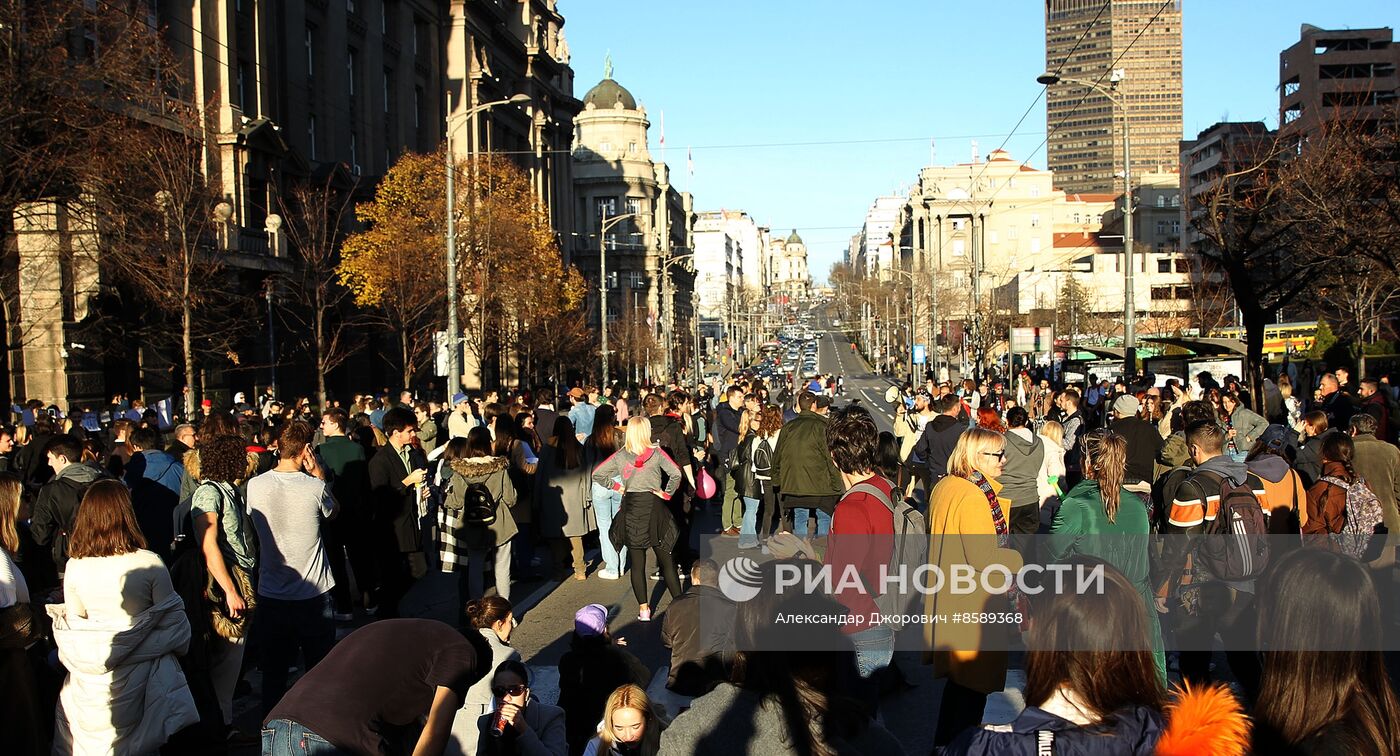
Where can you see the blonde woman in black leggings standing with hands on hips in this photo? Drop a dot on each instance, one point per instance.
(646, 477)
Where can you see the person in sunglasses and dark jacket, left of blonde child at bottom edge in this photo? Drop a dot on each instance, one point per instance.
(519, 724)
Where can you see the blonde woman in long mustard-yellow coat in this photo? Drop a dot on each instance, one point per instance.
(971, 631)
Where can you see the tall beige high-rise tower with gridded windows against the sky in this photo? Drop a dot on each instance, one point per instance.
(1086, 148)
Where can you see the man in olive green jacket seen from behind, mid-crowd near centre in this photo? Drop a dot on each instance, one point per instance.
(803, 468)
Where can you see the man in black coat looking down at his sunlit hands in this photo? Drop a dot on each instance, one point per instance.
(397, 482)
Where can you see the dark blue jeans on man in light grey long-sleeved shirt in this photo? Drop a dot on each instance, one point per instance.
(286, 628)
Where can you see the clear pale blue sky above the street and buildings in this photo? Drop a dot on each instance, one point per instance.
(866, 86)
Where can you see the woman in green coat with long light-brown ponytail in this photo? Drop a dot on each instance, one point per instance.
(1104, 520)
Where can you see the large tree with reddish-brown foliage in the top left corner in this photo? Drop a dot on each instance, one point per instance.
(76, 83)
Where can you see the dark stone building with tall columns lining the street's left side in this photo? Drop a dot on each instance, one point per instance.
(297, 89)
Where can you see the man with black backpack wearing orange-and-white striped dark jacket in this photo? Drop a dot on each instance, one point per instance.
(1216, 545)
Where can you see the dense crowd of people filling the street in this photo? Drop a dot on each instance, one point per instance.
(145, 572)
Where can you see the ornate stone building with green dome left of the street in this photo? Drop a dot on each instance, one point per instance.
(650, 306)
